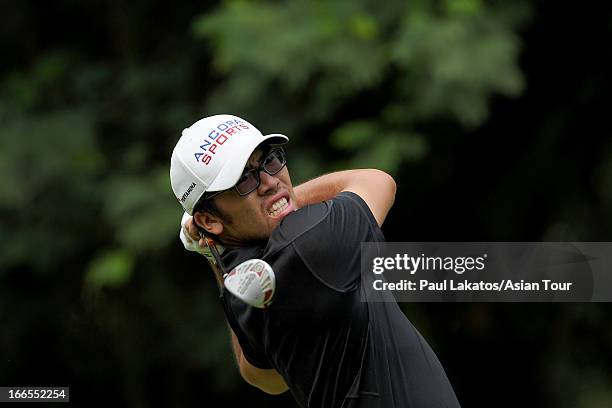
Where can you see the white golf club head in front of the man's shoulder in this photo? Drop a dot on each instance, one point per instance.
(253, 282)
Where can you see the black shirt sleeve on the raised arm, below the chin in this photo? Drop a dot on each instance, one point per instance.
(332, 248)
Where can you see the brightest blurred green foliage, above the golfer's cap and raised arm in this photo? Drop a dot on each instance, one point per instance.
(315, 57)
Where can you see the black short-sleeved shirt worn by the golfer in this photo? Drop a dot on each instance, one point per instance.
(332, 348)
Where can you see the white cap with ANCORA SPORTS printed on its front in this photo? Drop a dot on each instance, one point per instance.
(211, 155)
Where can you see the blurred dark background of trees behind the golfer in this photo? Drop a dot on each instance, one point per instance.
(492, 116)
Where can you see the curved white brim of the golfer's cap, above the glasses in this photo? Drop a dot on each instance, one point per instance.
(233, 168)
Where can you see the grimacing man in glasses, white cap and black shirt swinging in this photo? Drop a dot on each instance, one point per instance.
(318, 338)
